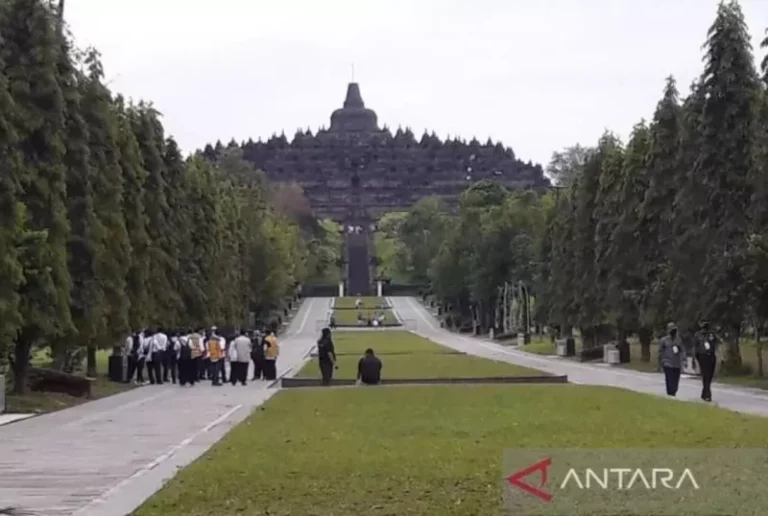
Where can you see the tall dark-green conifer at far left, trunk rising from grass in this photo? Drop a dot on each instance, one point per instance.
(32, 54)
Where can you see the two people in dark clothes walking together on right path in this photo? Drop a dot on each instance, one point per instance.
(672, 358)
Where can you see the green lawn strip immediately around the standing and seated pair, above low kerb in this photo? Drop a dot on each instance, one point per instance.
(426, 366)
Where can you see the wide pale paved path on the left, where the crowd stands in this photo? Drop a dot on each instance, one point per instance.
(104, 458)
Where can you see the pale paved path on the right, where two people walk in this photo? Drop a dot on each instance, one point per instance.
(753, 401)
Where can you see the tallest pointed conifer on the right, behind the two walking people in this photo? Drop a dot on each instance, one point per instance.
(725, 168)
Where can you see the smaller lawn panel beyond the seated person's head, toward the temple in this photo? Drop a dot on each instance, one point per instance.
(384, 342)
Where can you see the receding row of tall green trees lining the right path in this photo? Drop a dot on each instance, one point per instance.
(672, 226)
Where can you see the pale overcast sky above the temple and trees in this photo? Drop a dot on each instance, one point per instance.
(536, 74)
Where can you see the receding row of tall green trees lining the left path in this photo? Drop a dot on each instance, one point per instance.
(104, 226)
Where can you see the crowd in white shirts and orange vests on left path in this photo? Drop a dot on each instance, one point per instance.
(198, 355)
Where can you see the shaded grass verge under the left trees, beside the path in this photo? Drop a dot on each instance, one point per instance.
(40, 402)
